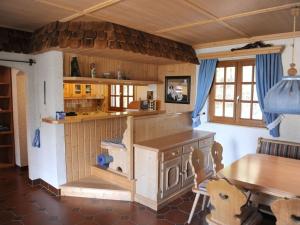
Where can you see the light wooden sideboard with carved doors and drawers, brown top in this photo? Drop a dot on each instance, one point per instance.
(163, 167)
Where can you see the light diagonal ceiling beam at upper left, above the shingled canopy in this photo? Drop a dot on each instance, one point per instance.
(91, 9)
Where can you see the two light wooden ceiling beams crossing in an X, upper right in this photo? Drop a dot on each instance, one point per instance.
(221, 20)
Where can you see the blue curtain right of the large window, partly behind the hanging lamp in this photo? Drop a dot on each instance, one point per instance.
(268, 73)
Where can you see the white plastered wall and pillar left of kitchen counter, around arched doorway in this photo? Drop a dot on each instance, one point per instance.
(47, 162)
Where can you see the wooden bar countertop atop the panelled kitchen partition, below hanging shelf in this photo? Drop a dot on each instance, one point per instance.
(100, 115)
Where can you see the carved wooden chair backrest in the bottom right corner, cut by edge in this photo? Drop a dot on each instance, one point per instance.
(287, 211)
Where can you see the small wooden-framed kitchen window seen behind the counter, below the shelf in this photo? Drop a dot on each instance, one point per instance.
(120, 96)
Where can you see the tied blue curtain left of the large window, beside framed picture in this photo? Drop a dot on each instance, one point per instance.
(205, 78)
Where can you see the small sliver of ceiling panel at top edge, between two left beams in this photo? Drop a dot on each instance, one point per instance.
(75, 4)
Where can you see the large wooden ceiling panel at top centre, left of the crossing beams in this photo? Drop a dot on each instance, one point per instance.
(150, 16)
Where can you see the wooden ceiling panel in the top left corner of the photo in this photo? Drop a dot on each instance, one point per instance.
(28, 15)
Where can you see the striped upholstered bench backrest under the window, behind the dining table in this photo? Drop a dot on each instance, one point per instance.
(278, 148)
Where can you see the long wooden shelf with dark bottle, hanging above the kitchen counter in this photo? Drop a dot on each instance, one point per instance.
(89, 80)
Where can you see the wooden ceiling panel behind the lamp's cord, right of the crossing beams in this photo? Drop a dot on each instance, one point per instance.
(263, 24)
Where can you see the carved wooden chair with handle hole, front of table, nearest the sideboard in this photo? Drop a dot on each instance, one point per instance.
(229, 205)
